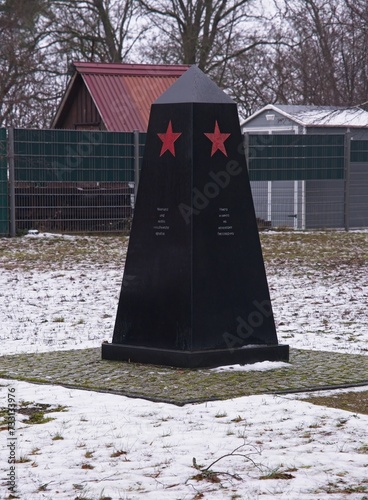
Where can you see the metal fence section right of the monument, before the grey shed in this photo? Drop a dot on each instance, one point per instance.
(309, 181)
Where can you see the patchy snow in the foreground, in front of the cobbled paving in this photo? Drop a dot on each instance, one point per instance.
(107, 446)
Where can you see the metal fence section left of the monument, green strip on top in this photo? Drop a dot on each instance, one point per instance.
(75, 181)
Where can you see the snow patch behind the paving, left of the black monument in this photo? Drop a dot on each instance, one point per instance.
(68, 309)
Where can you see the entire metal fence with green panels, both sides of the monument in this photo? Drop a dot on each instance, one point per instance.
(74, 181)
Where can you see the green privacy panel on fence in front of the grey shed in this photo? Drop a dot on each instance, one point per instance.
(295, 157)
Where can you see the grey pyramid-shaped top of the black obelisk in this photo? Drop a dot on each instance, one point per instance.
(194, 86)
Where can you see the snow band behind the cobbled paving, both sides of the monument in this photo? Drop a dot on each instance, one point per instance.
(75, 307)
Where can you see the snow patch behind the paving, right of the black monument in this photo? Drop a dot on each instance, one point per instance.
(322, 312)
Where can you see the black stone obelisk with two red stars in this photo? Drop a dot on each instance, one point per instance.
(194, 291)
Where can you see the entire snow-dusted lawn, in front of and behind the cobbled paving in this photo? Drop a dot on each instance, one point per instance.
(62, 293)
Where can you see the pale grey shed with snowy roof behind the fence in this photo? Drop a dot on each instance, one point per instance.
(311, 201)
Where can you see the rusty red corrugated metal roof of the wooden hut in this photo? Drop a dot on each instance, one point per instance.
(123, 93)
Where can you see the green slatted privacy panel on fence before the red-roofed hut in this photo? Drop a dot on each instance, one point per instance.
(73, 156)
